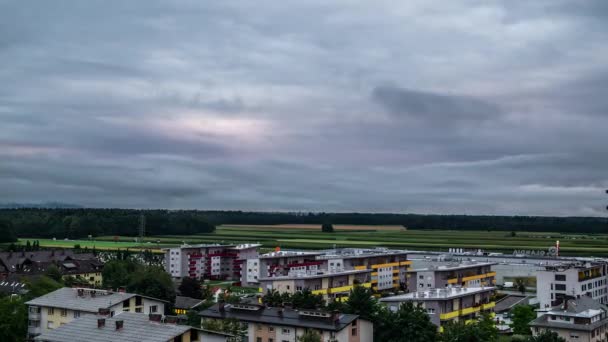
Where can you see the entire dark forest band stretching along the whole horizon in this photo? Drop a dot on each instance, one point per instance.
(80, 223)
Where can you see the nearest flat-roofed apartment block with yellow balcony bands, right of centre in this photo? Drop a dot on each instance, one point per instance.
(448, 304)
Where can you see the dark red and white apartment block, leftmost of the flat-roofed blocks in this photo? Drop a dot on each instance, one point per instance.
(213, 261)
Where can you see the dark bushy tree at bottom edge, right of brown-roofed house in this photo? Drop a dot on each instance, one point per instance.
(409, 324)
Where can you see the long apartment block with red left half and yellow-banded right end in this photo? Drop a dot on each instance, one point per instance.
(386, 268)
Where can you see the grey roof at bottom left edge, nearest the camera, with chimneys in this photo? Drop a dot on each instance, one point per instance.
(136, 328)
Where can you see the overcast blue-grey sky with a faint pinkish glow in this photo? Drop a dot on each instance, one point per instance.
(448, 107)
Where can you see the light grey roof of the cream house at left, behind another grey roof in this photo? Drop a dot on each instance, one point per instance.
(68, 298)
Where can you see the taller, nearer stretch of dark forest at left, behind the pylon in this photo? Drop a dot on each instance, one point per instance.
(80, 223)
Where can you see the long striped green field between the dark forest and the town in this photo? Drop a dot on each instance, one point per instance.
(439, 240)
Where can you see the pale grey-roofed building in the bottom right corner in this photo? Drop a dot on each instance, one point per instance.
(579, 319)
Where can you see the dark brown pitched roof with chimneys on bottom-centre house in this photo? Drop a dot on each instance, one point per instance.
(278, 316)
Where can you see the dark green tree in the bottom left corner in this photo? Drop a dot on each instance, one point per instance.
(13, 315)
